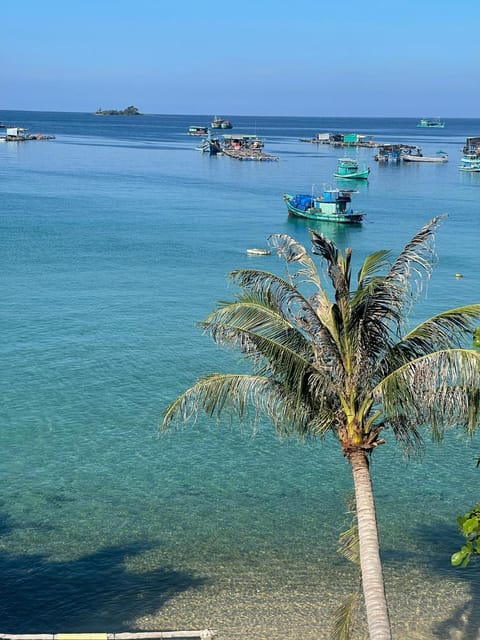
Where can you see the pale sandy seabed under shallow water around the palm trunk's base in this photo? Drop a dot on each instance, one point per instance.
(282, 607)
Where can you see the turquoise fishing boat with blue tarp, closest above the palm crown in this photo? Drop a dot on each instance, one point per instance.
(331, 206)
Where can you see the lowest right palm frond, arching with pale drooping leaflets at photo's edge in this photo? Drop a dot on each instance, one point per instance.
(440, 389)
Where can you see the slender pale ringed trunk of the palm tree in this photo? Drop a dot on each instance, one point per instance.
(371, 567)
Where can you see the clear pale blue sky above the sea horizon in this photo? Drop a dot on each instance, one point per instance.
(254, 57)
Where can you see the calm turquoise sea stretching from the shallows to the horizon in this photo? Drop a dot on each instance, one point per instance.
(117, 238)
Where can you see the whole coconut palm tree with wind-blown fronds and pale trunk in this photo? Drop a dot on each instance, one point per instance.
(344, 365)
